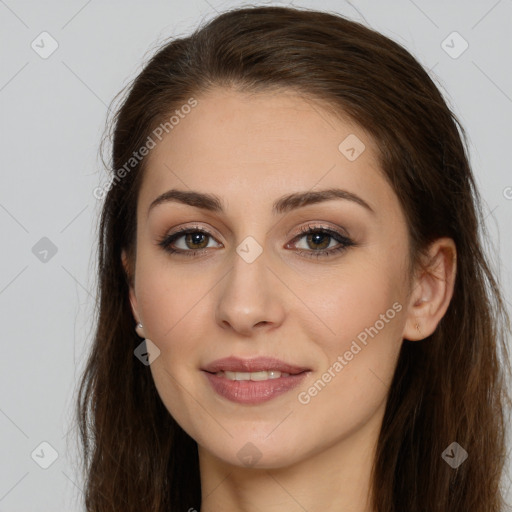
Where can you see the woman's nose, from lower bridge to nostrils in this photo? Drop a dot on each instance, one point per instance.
(250, 299)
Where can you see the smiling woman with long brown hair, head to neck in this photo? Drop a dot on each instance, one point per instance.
(295, 309)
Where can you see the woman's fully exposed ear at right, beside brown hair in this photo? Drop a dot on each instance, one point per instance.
(432, 290)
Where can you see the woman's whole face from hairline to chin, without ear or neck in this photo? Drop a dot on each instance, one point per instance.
(317, 284)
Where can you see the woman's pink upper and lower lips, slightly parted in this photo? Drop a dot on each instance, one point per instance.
(253, 392)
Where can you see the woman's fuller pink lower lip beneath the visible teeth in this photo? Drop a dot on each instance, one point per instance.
(253, 392)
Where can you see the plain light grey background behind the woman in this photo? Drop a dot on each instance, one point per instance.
(52, 117)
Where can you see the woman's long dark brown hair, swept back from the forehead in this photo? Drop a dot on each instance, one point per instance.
(449, 387)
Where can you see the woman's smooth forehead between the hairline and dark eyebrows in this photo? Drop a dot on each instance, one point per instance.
(250, 147)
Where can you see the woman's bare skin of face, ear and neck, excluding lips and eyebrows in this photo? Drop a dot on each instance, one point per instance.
(250, 150)
